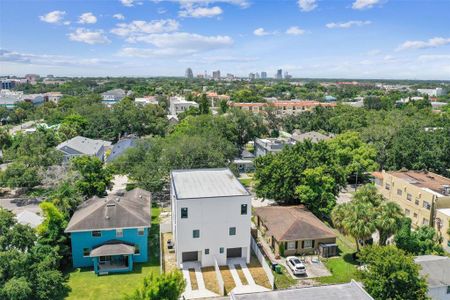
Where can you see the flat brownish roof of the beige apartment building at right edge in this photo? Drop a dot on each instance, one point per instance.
(424, 179)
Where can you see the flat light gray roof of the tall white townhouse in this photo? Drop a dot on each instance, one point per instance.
(206, 183)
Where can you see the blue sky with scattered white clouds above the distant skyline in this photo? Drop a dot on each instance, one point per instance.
(308, 38)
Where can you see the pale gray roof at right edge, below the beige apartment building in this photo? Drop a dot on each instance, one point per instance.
(436, 268)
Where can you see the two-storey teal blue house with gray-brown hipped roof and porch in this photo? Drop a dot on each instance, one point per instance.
(111, 234)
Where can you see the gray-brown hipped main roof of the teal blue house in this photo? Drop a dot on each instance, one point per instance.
(130, 210)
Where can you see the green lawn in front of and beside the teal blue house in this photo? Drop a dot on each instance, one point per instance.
(84, 284)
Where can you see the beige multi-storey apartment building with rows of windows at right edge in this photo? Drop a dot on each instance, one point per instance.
(423, 196)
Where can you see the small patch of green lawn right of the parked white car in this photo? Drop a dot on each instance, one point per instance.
(342, 267)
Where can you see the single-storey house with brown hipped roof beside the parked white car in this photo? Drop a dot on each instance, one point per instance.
(294, 230)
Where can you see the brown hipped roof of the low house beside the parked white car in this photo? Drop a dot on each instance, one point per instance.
(290, 223)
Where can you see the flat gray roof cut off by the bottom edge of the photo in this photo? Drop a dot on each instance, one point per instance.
(346, 291)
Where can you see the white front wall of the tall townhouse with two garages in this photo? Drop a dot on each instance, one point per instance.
(213, 217)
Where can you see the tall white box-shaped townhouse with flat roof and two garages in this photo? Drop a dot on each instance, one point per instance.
(211, 213)
